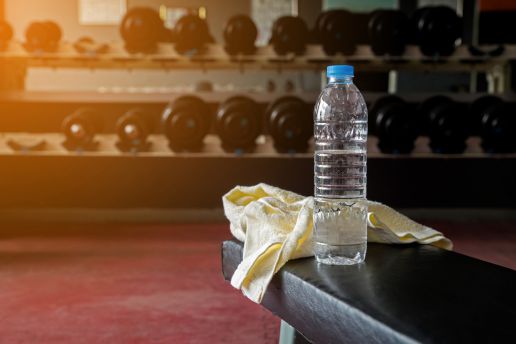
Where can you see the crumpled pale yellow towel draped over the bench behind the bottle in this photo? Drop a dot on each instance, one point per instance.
(275, 226)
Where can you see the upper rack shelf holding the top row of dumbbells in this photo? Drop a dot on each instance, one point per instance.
(214, 57)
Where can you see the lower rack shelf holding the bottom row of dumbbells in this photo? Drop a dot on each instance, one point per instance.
(159, 148)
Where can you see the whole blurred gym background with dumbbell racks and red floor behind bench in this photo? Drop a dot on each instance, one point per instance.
(123, 122)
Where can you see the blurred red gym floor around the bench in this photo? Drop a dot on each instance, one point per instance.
(150, 283)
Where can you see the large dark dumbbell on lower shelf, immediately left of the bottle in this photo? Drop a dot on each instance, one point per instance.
(290, 124)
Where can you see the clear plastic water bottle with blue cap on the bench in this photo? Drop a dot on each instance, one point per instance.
(340, 131)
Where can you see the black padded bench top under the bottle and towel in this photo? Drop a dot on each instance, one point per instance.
(401, 294)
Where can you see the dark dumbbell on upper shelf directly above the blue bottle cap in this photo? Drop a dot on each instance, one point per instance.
(336, 32)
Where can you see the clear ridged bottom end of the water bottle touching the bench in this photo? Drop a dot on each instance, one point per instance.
(340, 254)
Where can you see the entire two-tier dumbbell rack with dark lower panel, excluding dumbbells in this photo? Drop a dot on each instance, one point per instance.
(160, 178)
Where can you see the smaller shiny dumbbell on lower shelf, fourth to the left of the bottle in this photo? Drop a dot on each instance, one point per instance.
(132, 130)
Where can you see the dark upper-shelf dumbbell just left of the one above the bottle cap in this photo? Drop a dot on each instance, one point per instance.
(289, 35)
